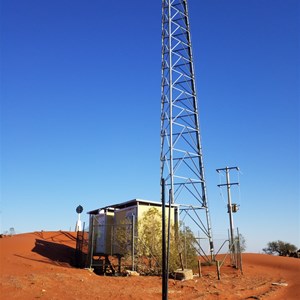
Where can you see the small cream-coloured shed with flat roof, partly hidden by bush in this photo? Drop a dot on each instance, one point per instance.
(106, 224)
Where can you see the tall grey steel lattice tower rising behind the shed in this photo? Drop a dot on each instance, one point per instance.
(181, 153)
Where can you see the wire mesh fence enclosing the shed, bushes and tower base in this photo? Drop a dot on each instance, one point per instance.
(119, 247)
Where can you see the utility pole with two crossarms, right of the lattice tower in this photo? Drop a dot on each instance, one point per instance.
(231, 208)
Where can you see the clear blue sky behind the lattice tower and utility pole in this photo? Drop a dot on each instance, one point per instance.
(80, 110)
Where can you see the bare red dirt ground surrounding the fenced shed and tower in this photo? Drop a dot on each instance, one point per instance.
(37, 265)
